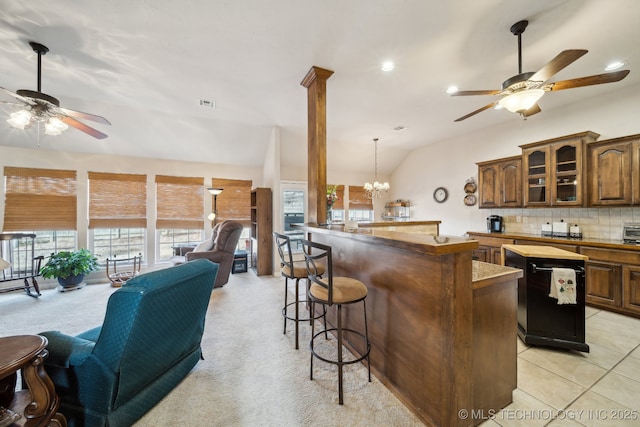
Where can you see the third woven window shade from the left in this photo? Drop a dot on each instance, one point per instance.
(179, 202)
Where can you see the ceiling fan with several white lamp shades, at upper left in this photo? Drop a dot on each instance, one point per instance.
(39, 108)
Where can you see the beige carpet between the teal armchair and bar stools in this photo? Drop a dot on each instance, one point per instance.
(251, 375)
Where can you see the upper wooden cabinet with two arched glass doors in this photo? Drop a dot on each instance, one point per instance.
(554, 171)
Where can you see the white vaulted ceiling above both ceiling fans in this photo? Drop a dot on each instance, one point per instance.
(145, 65)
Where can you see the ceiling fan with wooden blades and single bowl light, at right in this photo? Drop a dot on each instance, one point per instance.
(520, 93)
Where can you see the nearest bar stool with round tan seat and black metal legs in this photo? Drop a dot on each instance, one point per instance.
(329, 291)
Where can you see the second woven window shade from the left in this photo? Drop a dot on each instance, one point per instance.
(117, 200)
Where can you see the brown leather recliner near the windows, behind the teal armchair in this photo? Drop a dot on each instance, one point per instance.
(224, 240)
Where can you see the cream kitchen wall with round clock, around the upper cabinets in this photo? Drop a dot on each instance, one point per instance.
(450, 163)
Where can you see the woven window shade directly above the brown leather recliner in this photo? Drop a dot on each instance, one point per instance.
(235, 200)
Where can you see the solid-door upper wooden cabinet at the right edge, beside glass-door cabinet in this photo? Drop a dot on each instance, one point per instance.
(612, 177)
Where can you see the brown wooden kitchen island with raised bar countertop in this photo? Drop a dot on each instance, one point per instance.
(442, 328)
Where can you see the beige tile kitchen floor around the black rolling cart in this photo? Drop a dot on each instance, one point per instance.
(570, 388)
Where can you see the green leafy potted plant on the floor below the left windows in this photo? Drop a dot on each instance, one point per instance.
(69, 267)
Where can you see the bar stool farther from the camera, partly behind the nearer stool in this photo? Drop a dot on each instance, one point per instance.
(294, 270)
